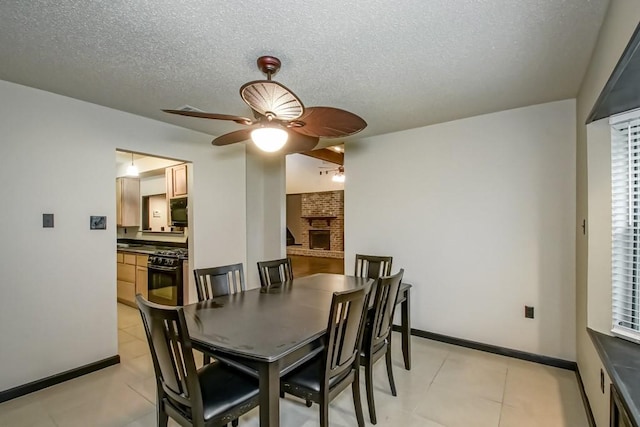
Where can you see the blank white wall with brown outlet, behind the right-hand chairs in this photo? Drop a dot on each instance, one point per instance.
(480, 212)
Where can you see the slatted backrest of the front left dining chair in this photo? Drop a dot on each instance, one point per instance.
(172, 354)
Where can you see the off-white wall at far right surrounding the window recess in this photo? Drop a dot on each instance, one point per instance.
(593, 295)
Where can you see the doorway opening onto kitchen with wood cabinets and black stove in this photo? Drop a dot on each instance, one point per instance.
(149, 233)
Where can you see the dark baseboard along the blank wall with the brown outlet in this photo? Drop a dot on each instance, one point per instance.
(531, 357)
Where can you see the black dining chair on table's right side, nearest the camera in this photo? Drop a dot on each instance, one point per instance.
(338, 366)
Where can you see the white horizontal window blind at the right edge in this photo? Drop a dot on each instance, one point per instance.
(625, 183)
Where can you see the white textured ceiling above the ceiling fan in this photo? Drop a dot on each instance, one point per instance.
(398, 65)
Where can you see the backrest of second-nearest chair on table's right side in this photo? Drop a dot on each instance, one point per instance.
(384, 304)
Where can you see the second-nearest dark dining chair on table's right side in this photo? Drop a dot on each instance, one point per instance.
(377, 335)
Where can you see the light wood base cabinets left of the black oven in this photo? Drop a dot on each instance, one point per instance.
(131, 277)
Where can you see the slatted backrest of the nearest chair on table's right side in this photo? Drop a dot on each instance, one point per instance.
(344, 331)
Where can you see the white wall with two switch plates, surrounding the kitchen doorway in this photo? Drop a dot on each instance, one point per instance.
(58, 304)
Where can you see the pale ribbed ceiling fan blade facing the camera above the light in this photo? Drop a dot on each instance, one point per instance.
(267, 96)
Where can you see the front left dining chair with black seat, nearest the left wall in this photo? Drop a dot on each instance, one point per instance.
(211, 396)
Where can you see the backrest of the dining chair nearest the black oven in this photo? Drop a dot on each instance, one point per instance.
(217, 281)
